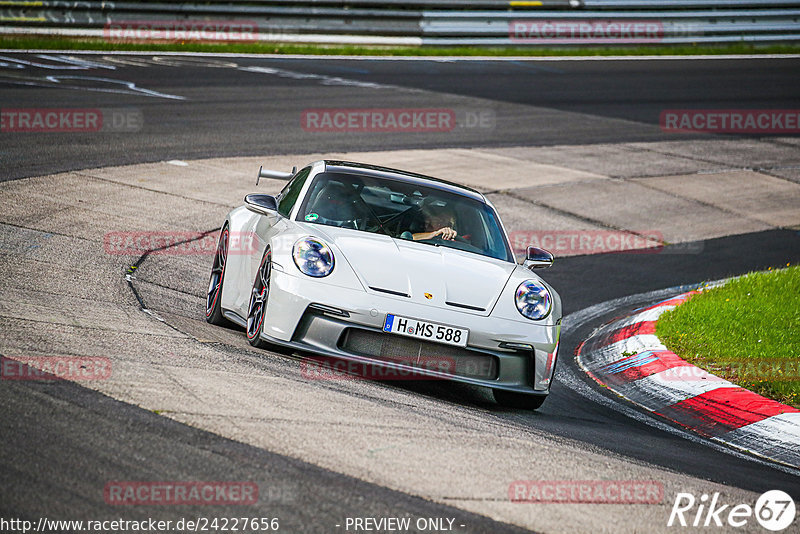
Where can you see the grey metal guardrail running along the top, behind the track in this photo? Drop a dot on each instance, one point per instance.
(416, 22)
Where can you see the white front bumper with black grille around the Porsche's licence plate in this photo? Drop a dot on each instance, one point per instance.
(311, 315)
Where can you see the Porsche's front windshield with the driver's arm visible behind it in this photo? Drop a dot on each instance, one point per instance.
(407, 211)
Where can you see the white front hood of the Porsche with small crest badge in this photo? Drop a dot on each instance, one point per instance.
(437, 276)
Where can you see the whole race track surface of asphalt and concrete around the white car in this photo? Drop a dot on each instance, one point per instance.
(63, 441)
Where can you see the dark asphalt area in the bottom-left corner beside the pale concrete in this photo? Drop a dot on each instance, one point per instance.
(62, 443)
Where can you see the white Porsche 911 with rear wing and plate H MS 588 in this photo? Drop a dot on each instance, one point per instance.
(392, 269)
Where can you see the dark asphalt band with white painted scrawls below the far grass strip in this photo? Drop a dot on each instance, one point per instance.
(229, 111)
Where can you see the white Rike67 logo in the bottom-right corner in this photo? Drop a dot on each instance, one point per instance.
(774, 510)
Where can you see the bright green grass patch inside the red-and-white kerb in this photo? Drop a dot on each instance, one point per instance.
(747, 331)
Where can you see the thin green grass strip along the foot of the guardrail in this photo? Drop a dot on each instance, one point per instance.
(66, 43)
